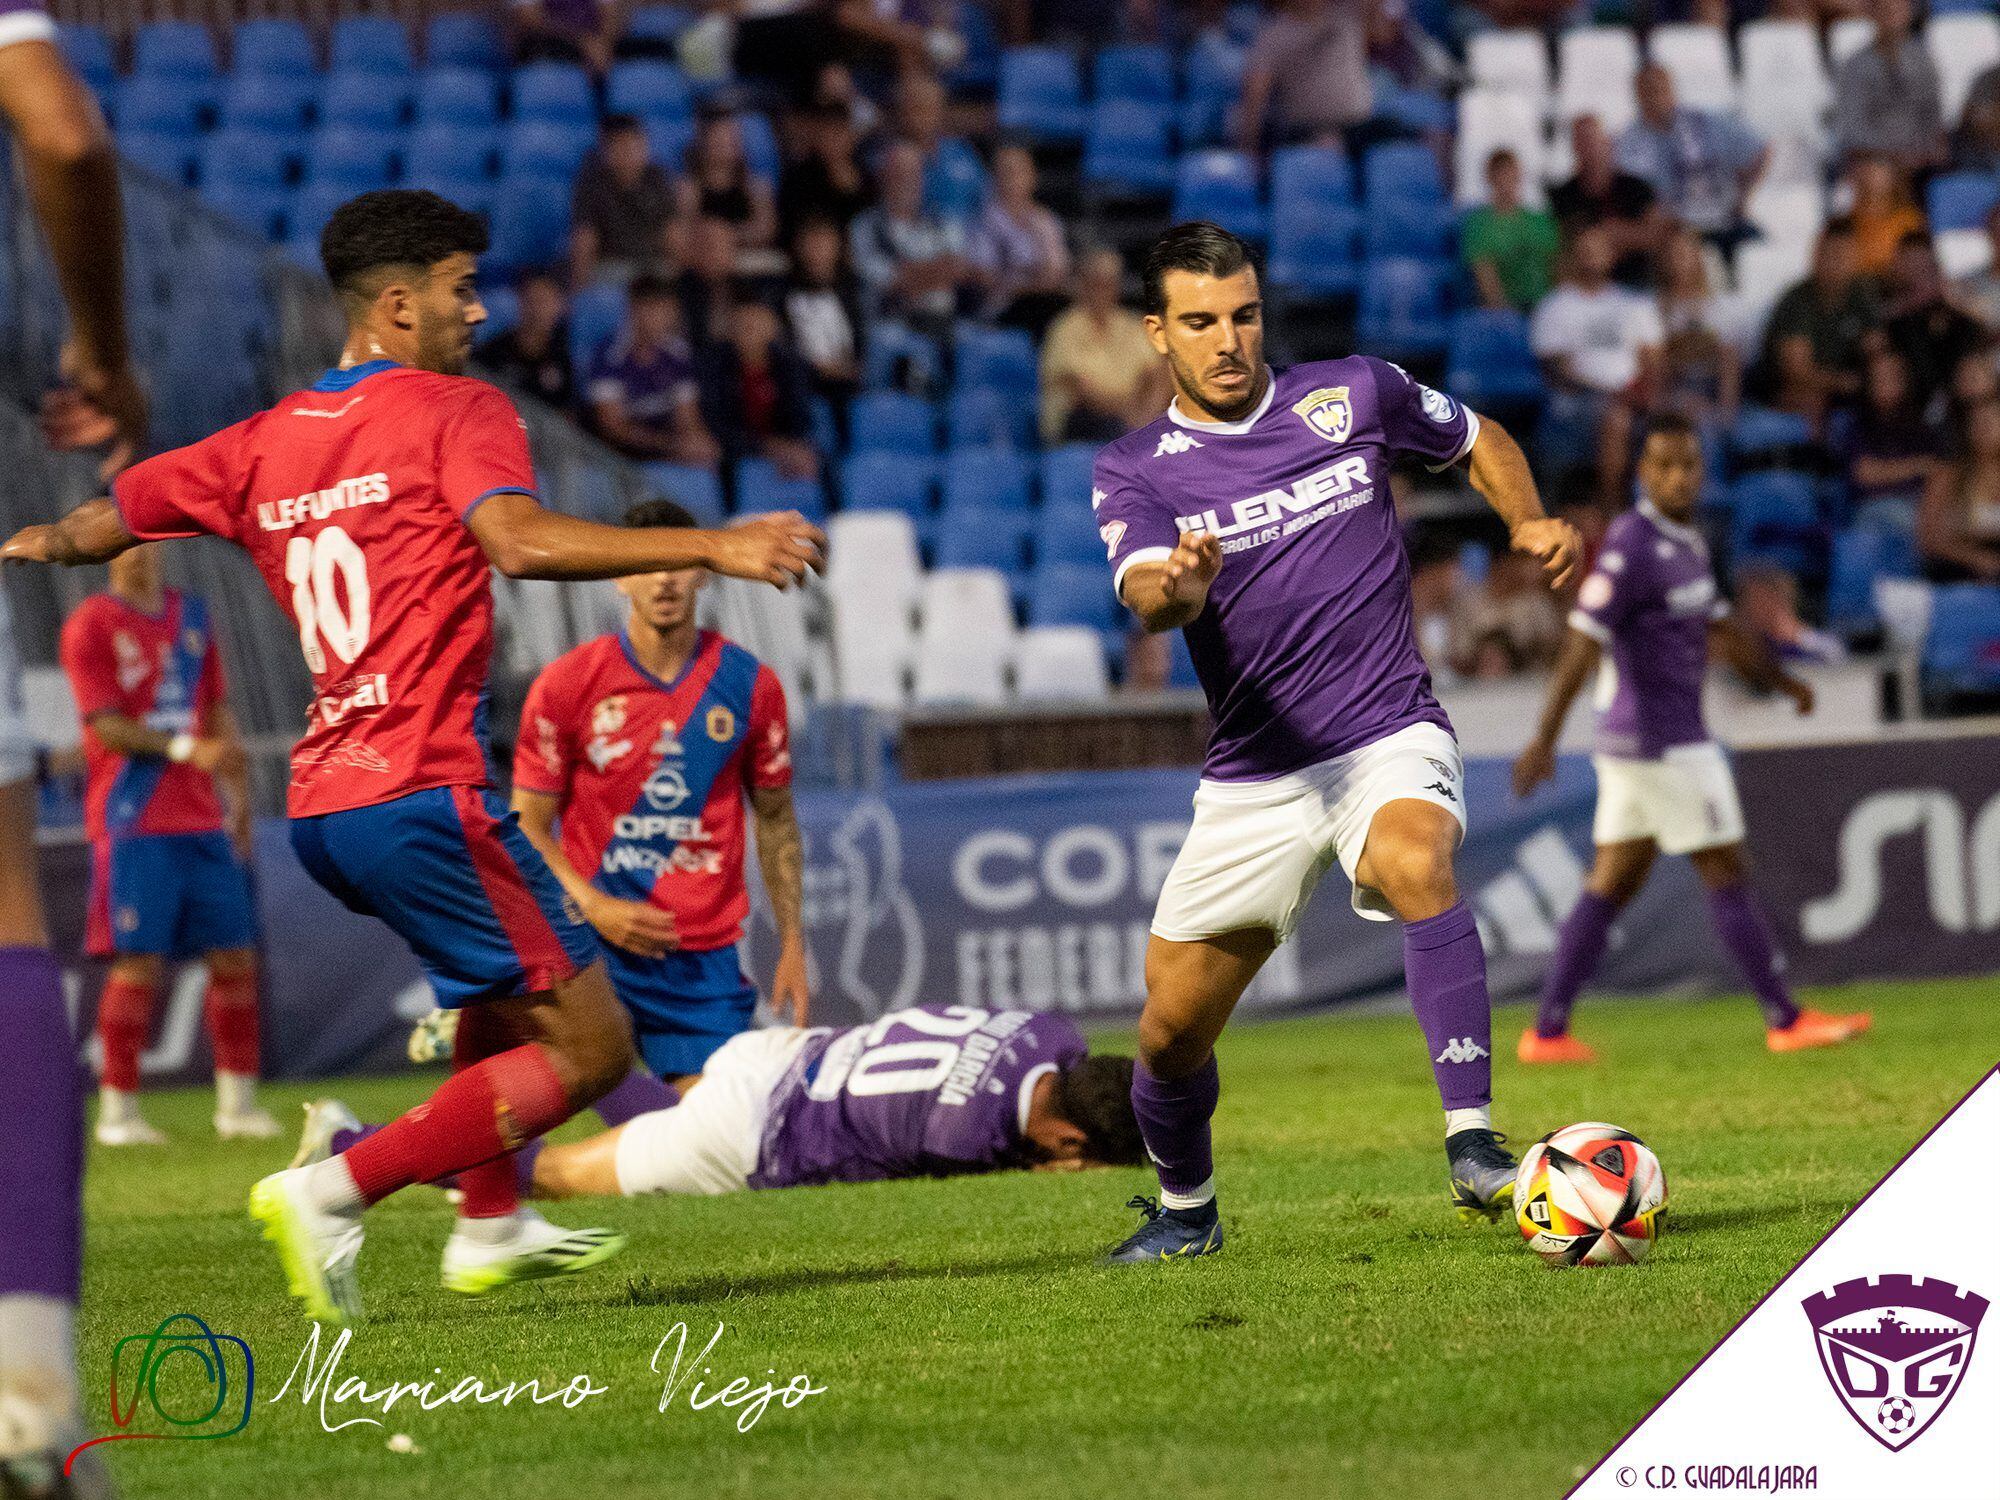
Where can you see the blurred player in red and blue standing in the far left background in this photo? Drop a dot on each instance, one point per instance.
(167, 883)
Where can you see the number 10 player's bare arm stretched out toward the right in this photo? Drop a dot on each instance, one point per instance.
(527, 541)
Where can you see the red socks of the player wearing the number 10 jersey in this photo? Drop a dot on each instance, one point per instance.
(477, 1115)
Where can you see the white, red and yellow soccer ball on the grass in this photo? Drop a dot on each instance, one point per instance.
(1591, 1195)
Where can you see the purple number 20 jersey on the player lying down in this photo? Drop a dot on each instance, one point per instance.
(921, 1093)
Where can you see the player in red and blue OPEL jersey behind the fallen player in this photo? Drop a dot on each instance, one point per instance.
(645, 745)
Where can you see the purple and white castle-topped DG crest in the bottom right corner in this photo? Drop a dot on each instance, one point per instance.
(1895, 1351)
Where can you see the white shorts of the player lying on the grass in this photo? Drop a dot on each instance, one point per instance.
(711, 1141)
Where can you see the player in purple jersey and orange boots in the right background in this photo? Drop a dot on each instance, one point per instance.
(1645, 623)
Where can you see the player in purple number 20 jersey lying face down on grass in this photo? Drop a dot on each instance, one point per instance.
(933, 1091)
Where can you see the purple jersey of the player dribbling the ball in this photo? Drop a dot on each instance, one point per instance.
(1307, 647)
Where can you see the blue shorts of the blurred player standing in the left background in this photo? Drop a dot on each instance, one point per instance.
(171, 895)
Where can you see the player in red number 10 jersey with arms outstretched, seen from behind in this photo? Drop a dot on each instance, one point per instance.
(375, 505)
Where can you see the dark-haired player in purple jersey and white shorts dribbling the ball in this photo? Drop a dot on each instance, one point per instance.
(1257, 517)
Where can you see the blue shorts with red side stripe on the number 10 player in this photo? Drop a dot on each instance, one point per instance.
(457, 879)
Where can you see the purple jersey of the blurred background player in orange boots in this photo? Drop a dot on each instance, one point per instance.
(1649, 603)
